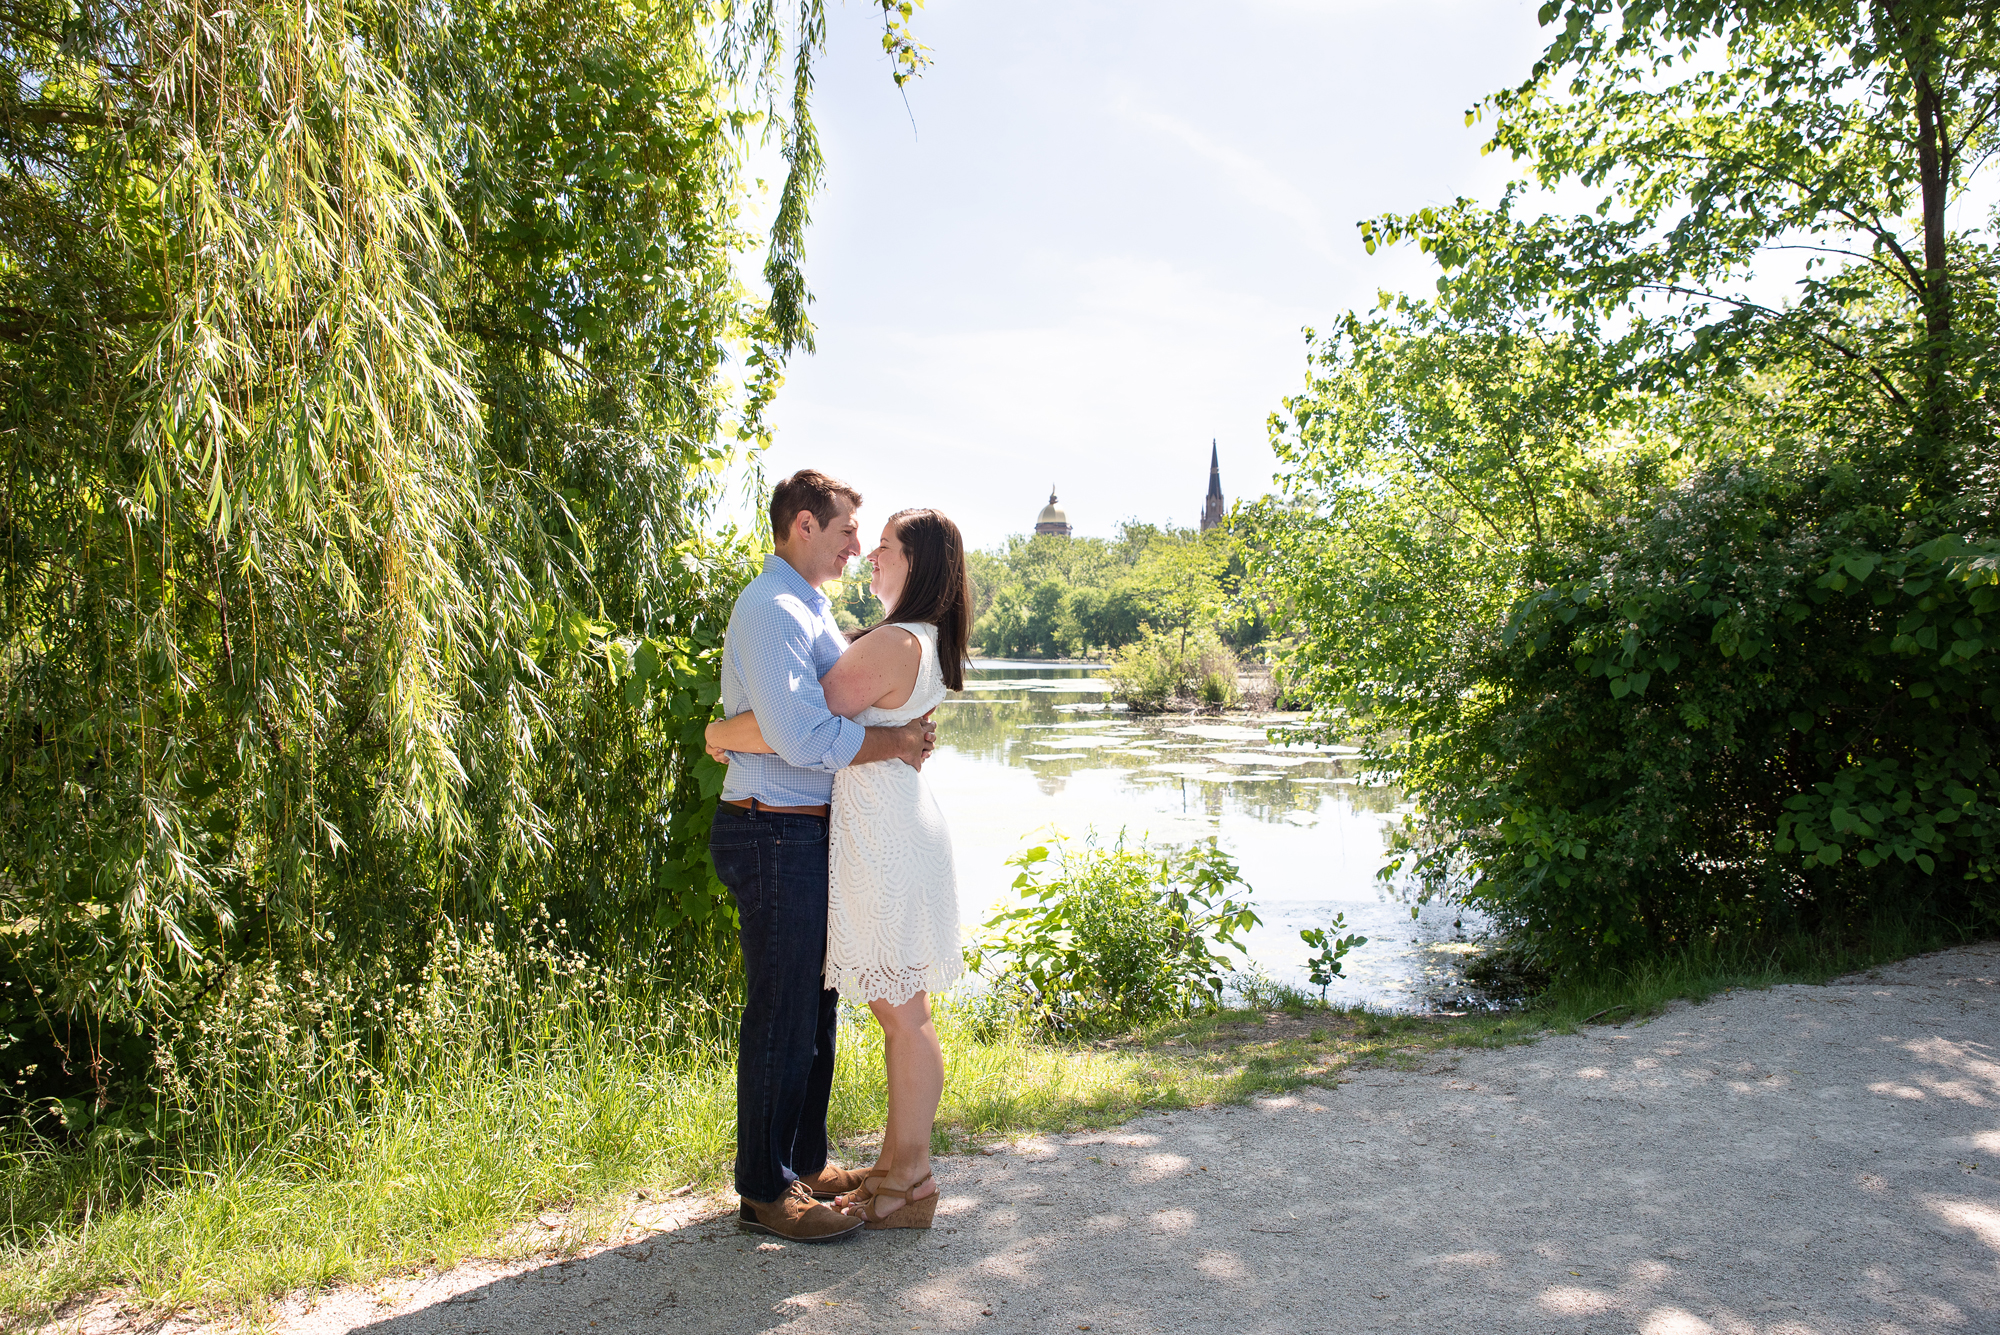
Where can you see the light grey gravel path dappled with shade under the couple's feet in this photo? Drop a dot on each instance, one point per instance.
(1803, 1160)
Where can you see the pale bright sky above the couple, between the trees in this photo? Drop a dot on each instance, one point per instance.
(1099, 245)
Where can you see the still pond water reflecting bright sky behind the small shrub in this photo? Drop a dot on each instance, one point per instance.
(1035, 748)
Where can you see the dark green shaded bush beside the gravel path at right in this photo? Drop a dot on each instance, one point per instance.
(1755, 708)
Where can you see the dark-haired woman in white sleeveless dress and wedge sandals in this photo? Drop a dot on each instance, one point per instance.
(893, 894)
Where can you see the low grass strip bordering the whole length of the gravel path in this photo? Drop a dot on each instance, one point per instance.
(413, 1178)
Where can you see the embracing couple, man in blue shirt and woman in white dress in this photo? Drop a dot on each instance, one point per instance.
(837, 854)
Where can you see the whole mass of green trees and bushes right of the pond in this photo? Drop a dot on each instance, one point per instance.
(1669, 605)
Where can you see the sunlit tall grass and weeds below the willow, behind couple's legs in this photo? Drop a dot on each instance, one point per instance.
(323, 1150)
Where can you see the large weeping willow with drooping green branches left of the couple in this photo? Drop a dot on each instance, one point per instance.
(363, 399)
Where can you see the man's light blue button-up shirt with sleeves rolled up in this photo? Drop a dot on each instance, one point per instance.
(781, 641)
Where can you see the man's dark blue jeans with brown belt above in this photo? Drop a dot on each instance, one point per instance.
(785, 1056)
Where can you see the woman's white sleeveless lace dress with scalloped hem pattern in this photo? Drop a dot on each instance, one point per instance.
(893, 894)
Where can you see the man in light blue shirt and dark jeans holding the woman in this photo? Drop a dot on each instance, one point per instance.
(769, 846)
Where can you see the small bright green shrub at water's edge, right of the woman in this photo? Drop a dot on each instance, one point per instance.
(1117, 936)
